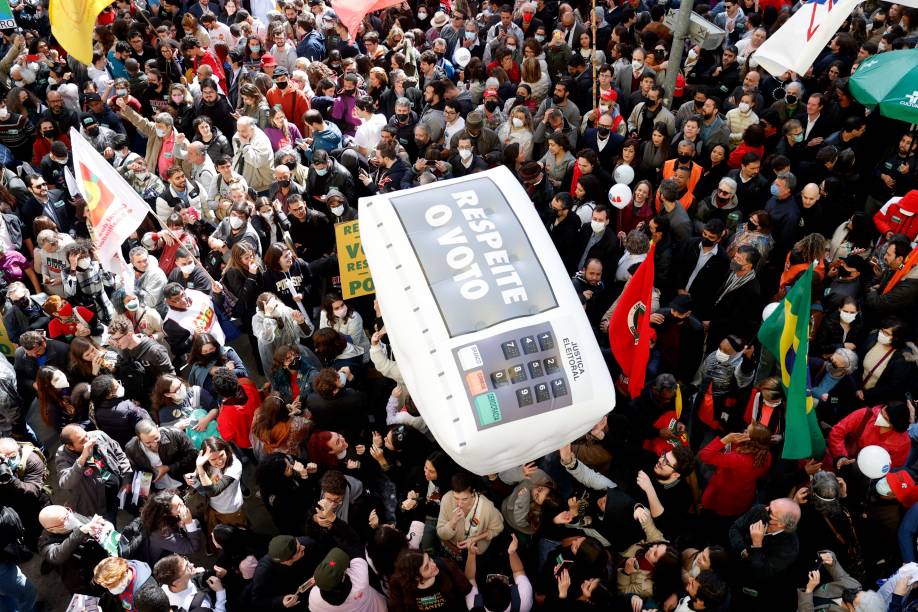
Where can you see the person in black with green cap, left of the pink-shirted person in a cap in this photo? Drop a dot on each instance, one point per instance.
(289, 563)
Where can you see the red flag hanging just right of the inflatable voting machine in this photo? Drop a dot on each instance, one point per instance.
(629, 327)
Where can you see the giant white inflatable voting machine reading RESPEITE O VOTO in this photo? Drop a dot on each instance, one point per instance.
(490, 337)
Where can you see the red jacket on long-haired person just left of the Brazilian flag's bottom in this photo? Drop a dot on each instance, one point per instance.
(731, 490)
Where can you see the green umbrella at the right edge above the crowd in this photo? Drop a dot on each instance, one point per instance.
(889, 80)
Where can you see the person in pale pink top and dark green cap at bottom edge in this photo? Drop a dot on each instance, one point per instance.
(343, 583)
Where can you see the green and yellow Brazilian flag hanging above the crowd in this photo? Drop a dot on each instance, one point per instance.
(786, 335)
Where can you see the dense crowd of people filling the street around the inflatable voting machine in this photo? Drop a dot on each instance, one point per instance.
(145, 424)
